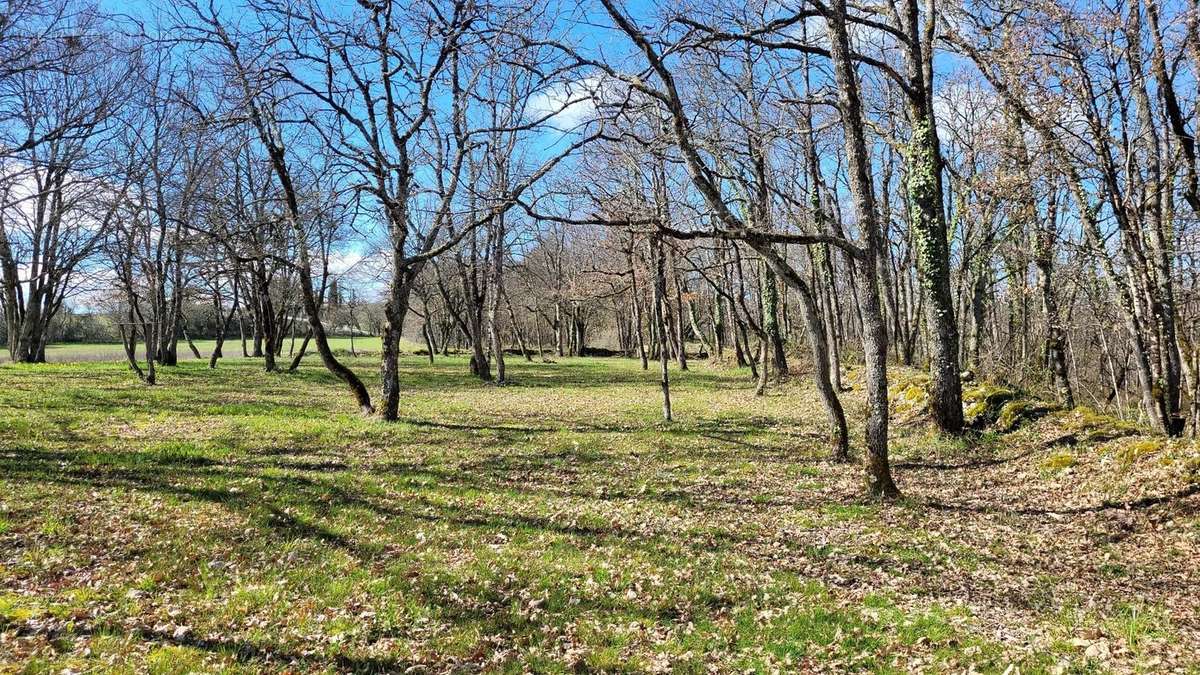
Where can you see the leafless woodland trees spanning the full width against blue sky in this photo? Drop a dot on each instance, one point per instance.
(983, 192)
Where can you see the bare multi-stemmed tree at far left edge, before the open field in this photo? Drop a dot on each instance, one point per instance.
(53, 174)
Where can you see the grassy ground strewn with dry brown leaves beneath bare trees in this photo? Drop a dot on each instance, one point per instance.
(243, 522)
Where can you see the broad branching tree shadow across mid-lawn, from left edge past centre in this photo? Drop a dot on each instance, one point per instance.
(274, 507)
